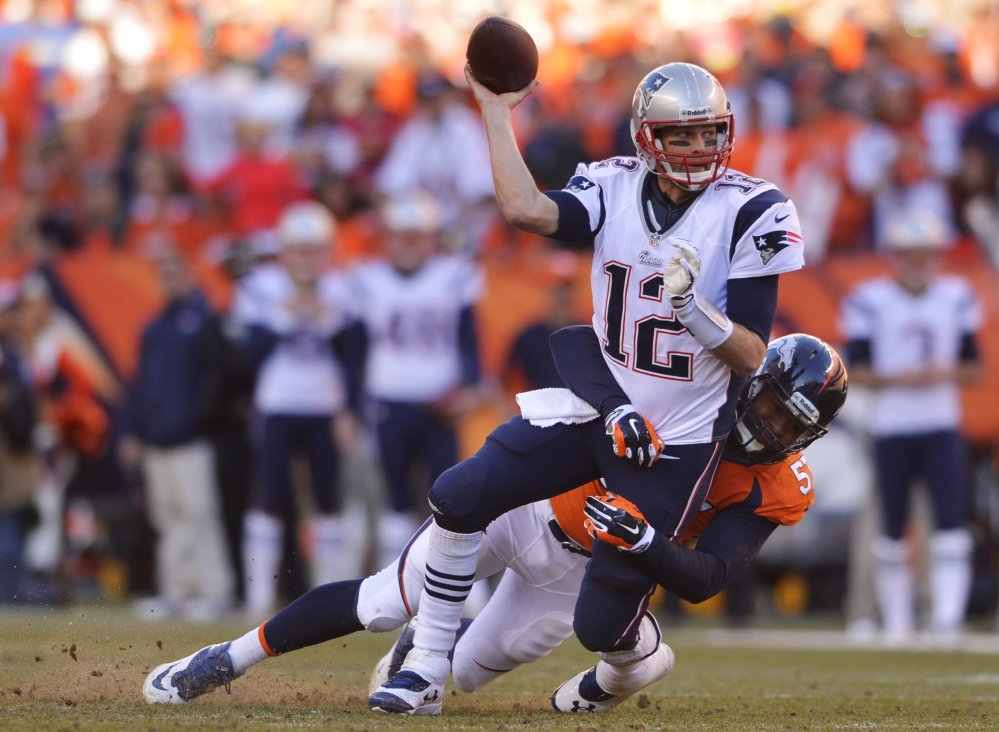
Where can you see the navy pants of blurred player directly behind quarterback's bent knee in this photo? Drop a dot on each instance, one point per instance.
(407, 433)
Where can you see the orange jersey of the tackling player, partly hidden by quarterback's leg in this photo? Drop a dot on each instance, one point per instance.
(781, 492)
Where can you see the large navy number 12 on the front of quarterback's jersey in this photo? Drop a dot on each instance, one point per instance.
(678, 365)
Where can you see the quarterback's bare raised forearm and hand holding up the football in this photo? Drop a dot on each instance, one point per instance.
(522, 204)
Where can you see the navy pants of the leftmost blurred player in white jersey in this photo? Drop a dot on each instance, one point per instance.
(283, 435)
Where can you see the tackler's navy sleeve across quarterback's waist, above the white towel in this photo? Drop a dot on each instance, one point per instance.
(581, 365)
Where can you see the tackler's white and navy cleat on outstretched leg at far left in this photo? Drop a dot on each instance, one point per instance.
(181, 681)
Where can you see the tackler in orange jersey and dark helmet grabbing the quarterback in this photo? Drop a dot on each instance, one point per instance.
(762, 483)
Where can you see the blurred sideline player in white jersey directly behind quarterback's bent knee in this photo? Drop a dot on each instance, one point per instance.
(422, 365)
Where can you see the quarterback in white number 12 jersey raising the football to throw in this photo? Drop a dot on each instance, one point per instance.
(684, 278)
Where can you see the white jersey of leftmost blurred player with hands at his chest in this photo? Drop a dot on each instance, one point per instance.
(301, 375)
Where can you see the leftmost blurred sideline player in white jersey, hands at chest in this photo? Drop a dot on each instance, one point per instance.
(293, 312)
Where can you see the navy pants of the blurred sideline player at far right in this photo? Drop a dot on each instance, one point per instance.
(939, 457)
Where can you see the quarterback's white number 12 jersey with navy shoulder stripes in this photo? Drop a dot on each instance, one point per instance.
(741, 226)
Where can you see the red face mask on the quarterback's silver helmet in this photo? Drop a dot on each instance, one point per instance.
(690, 155)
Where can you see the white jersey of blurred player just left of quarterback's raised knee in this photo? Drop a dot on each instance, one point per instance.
(412, 324)
